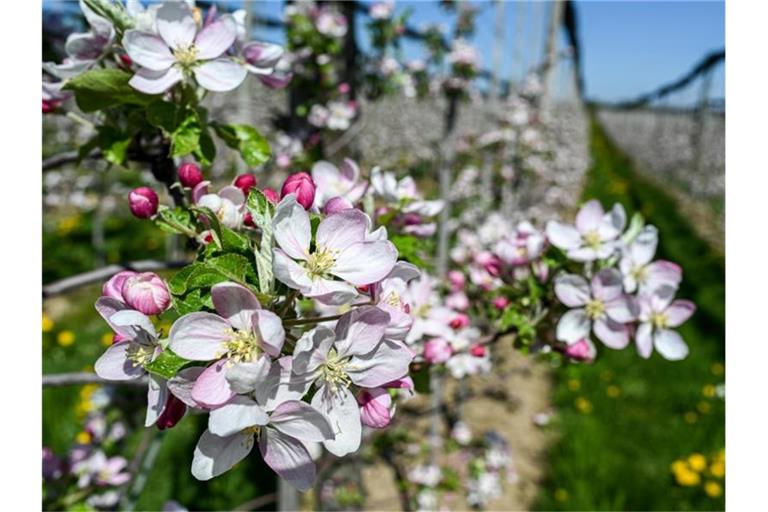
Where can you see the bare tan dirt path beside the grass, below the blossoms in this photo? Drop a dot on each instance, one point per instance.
(505, 401)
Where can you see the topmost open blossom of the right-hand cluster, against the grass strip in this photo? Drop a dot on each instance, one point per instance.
(593, 237)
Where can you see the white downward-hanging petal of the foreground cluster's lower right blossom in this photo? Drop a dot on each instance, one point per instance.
(341, 409)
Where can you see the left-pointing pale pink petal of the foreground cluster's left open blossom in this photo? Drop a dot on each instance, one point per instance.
(198, 336)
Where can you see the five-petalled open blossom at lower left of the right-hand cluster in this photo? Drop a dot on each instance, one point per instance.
(600, 306)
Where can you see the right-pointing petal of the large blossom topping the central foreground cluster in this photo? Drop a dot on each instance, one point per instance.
(365, 262)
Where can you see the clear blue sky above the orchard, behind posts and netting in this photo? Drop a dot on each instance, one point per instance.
(628, 47)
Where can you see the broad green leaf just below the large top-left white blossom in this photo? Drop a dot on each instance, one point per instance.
(98, 89)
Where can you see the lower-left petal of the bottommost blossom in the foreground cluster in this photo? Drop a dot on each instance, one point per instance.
(215, 455)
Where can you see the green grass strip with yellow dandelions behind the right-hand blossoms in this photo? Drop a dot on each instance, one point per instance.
(614, 452)
